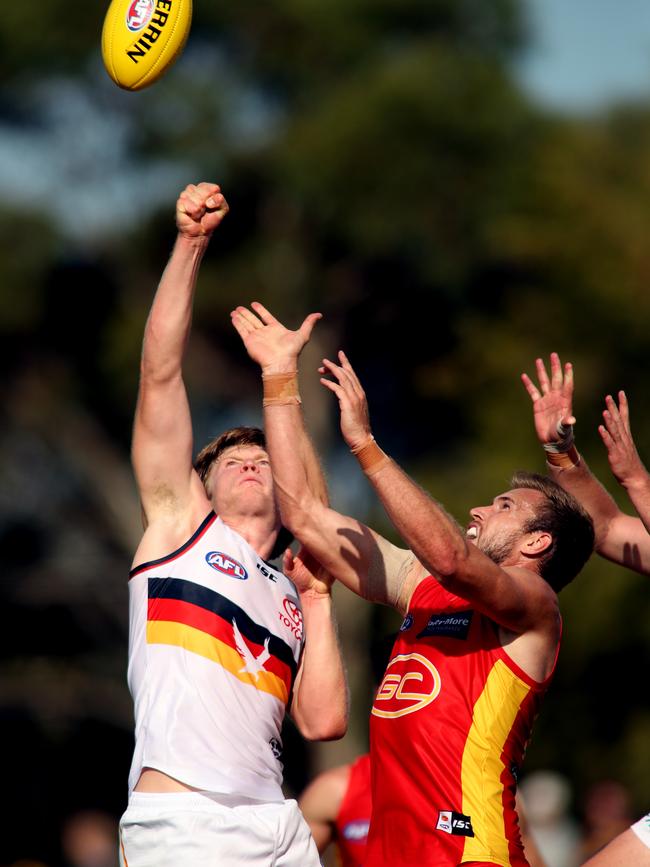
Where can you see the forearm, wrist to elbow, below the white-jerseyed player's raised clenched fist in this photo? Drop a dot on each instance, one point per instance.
(170, 319)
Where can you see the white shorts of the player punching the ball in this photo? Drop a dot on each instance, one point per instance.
(195, 829)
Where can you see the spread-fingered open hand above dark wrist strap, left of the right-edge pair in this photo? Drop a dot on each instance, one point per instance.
(552, 400)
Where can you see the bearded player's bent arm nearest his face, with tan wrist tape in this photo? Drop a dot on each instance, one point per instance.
(509, 597)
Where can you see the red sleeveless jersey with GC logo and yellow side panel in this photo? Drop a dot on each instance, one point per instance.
(448, 731)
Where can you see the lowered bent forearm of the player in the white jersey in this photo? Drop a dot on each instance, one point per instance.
(320, 705)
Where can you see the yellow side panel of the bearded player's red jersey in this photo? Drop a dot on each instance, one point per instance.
(495, 712)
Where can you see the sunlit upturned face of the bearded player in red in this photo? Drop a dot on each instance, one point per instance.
(496, 529)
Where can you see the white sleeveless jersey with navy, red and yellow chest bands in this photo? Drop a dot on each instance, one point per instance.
(214, 645)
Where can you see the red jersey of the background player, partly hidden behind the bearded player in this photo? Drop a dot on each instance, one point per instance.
(353, 818)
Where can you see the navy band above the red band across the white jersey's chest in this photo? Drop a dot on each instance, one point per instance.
(180, 590)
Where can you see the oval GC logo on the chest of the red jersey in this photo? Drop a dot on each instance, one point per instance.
(411, 682)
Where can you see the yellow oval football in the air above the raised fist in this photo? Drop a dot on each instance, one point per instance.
(142, 38)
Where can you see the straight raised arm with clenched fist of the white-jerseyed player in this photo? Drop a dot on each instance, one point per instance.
(162, 433)
